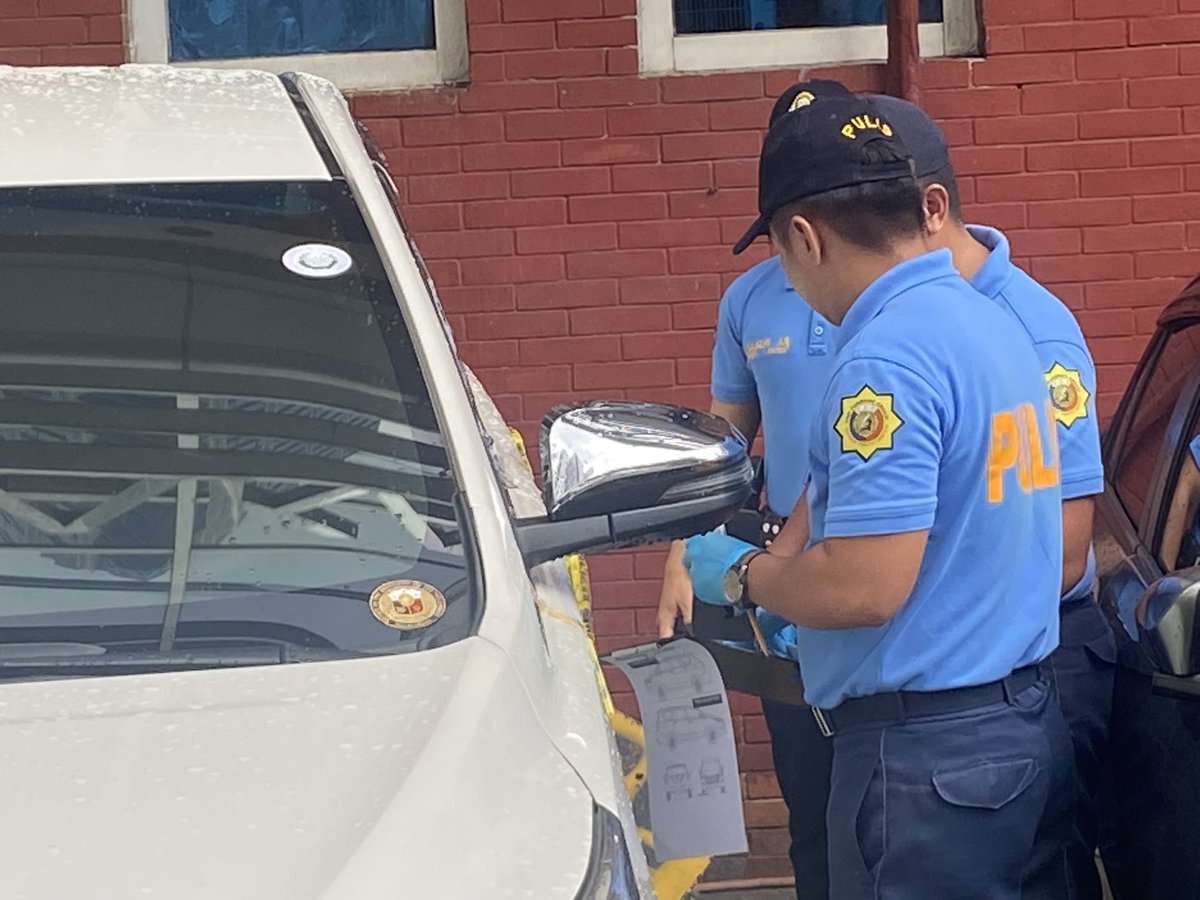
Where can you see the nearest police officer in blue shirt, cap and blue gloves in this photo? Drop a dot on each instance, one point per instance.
(928, 589)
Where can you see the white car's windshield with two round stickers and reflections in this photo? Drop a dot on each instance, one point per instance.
(217, 443)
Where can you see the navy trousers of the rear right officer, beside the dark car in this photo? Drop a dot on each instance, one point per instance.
(1083, 669)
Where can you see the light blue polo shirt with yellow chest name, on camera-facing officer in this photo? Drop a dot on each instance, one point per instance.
(773, 349)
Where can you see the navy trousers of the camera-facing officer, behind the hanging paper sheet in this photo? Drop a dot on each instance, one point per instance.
(803, 759)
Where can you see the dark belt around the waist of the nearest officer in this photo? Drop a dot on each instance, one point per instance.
(901, 706)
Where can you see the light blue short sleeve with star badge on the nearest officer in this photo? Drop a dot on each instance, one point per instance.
(884, 425)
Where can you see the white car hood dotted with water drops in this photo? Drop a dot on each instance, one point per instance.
(424, 776)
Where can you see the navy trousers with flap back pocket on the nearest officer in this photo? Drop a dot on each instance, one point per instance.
(974, 806)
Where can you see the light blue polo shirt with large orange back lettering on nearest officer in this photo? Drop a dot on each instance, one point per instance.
(937, 418)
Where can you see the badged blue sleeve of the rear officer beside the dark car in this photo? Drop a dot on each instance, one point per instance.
(1071, 380)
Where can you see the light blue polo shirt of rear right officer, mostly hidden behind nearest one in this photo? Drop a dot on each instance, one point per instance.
(1069, 368)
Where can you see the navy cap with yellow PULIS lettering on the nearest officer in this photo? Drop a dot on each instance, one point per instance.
(826, 143)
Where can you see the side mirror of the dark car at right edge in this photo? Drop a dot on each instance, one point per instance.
(1167, 623)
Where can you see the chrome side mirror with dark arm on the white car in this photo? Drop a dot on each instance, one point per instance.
(620, 475)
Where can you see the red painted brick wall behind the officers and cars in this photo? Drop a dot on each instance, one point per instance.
(578, 219)
